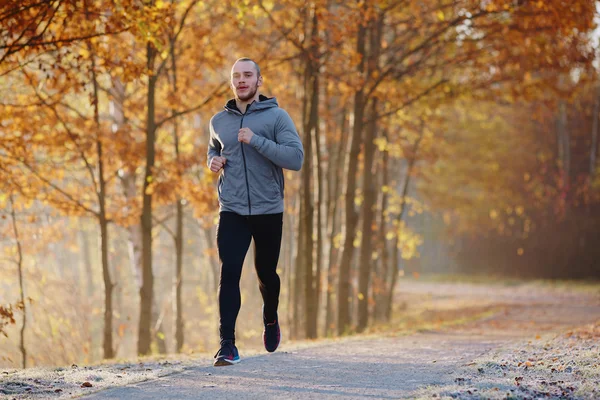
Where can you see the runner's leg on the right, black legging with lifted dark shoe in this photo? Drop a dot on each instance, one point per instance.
(267, 233)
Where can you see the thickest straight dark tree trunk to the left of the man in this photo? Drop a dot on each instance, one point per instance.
(147, 288)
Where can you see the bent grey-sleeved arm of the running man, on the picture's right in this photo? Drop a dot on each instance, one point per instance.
(287, 151)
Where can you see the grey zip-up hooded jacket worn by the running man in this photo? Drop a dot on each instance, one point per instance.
(251, 182)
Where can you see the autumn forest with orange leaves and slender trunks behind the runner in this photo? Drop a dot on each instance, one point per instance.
(446, 136)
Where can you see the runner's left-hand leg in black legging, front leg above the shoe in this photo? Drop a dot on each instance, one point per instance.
(233, 241)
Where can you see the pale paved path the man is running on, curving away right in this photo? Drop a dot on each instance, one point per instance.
(378, 367)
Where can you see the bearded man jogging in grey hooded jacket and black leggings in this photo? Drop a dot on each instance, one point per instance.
(251, 141)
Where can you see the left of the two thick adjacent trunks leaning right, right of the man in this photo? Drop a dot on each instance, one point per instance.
(351, 216)
